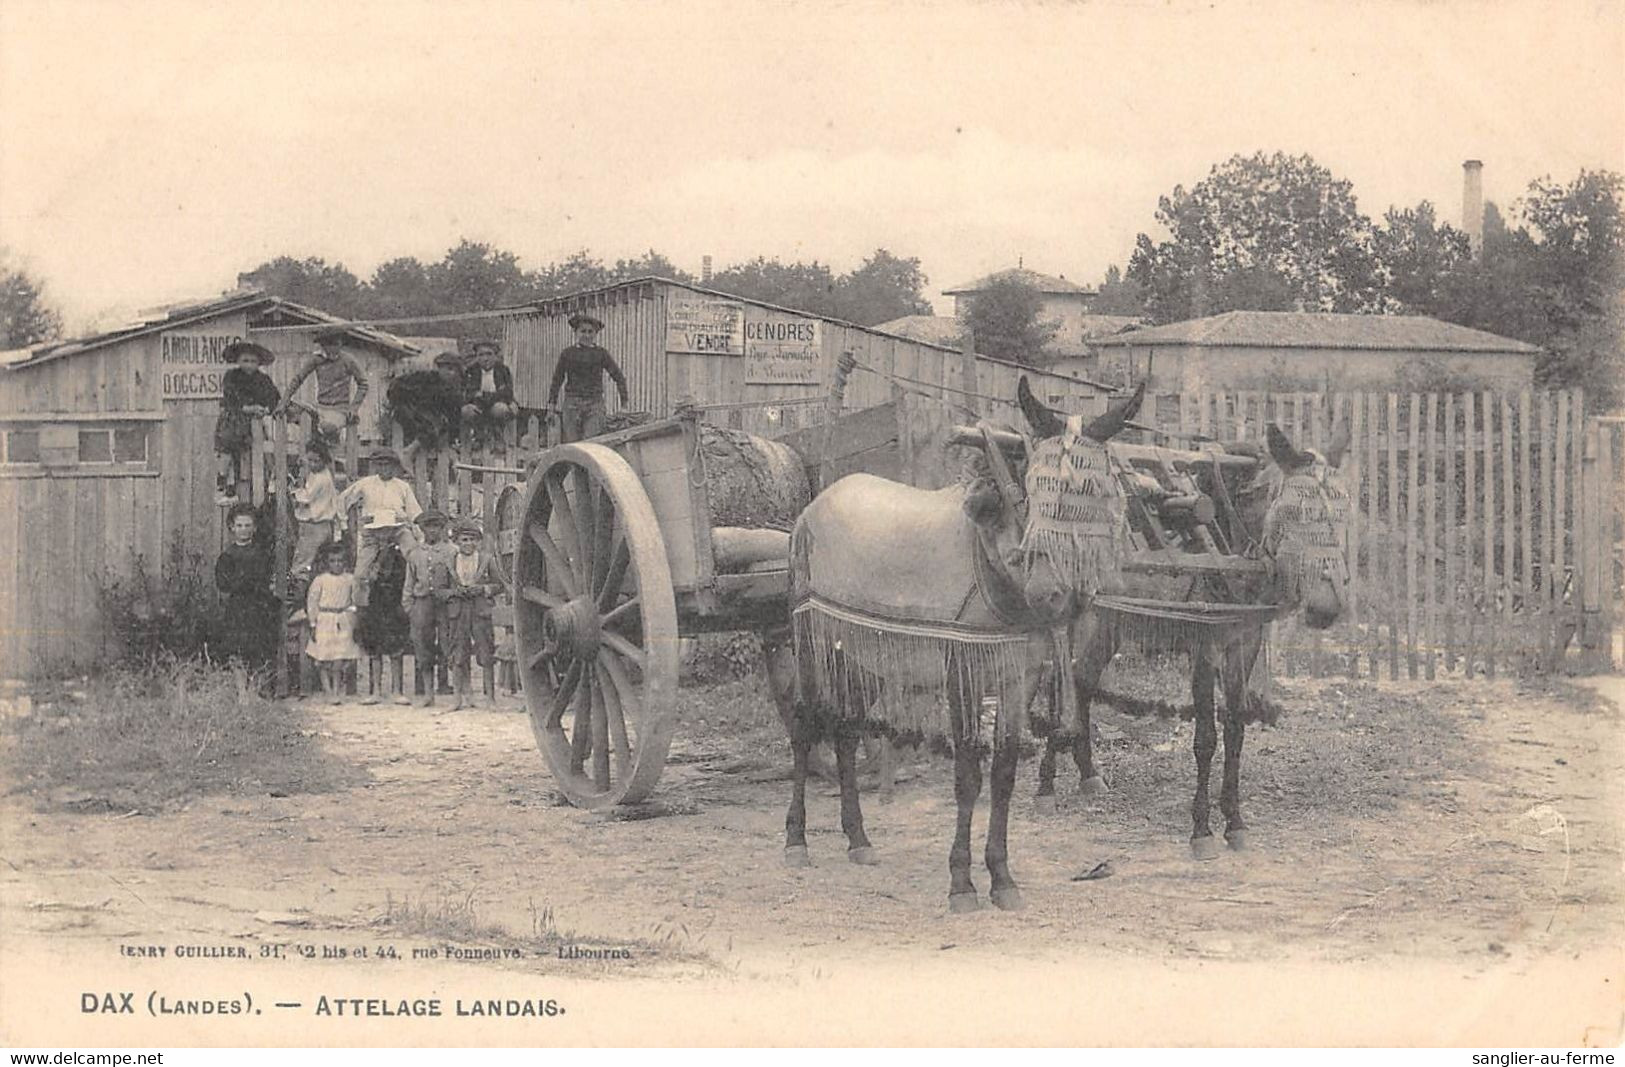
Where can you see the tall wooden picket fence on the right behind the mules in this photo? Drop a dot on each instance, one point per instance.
(1488, 533)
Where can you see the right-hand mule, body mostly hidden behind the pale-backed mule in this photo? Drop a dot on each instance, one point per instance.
(1294, 514)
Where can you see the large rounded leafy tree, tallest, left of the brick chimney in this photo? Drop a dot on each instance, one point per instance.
(1275, 230)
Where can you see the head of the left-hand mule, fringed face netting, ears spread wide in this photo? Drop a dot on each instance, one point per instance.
(1075, 529)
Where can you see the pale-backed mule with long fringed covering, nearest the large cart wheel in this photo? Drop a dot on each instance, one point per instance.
(906, 602)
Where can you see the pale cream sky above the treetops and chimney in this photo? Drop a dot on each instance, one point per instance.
(152, 152)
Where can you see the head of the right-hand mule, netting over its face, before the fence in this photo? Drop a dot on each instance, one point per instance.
(1299, 511)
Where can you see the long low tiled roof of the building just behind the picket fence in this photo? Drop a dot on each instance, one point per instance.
(1322, 330)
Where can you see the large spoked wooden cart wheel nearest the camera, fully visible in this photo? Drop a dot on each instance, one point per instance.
(596, 626)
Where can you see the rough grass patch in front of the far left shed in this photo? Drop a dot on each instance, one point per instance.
(154, 737)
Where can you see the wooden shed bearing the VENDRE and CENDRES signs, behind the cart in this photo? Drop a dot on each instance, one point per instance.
(756, 366)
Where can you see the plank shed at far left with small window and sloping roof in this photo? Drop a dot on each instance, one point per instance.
(108, 456)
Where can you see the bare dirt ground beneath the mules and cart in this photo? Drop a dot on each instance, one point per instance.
(1471, 827)
